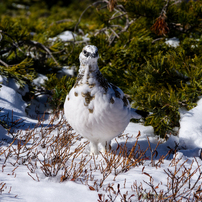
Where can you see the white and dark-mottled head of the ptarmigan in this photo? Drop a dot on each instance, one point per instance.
(89, 55)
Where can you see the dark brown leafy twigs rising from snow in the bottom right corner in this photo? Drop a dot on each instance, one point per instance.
(179, 186)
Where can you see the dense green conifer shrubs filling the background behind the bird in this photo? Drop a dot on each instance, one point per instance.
(131, 38)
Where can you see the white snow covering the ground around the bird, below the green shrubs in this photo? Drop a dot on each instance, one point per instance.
(25, 185)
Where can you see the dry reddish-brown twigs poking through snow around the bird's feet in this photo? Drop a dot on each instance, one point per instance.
(54, 149)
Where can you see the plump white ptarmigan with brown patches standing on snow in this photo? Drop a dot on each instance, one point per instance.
(95, 108)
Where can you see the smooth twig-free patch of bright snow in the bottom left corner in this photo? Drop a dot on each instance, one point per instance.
(45, 190)
